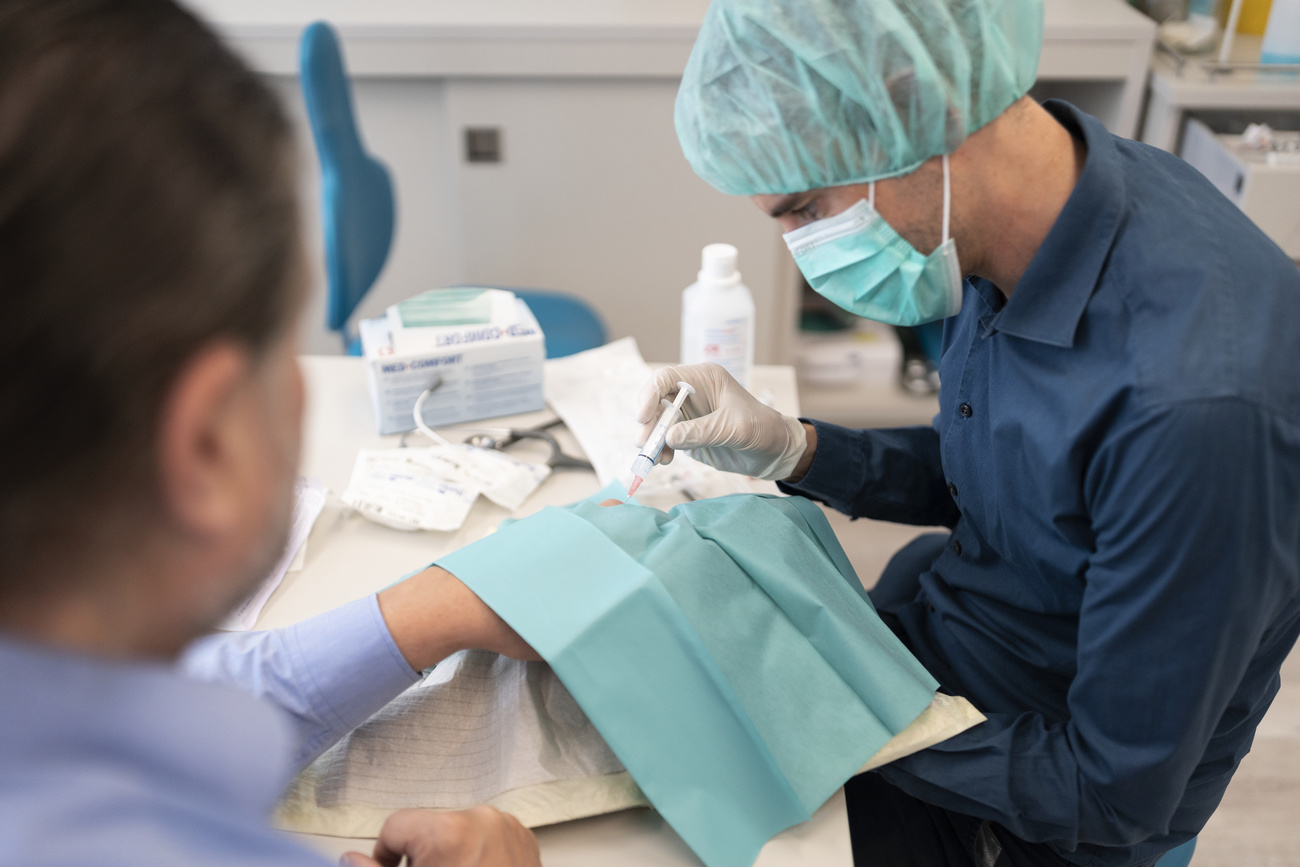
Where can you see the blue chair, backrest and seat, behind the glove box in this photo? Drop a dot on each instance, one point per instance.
(359, 209)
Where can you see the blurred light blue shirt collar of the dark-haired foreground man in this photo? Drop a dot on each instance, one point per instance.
(146, 718)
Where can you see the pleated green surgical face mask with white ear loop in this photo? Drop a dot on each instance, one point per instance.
(857, 261)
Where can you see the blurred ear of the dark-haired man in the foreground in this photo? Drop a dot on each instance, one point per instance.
(202, 440)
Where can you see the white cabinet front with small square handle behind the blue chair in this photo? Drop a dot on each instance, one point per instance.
(593, 197)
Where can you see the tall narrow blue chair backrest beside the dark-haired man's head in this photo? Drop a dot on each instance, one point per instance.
(358, 203)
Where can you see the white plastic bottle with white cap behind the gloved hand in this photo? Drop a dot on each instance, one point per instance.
(718, 317)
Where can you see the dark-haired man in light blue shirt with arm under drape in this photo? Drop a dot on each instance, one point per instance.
(151, 408)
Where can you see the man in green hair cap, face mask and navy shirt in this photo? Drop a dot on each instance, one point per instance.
(1117, 454)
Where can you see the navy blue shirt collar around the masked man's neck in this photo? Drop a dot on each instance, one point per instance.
(1056, 288)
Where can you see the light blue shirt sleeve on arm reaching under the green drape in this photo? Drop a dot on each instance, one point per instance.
(330, 674)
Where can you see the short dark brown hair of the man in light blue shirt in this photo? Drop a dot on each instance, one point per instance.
(148, 207)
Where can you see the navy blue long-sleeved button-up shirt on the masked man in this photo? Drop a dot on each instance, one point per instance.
(1119, 456)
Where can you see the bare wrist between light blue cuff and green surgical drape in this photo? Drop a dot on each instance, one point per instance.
(432, 615)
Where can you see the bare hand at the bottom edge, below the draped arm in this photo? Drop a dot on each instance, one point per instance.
(478, 838)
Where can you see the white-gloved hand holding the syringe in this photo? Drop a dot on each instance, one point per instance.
(726, 426)
